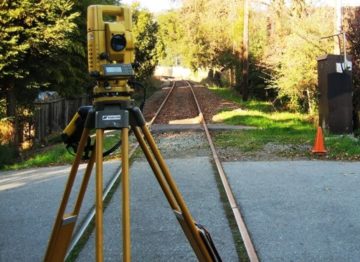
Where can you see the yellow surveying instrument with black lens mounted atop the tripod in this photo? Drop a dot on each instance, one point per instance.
(110, 52)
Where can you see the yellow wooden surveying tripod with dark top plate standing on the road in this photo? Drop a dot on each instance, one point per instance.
(122, 115)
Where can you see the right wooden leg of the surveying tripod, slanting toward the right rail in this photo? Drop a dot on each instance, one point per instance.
(183, 214)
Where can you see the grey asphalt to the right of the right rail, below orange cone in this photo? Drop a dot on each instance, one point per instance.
(300, 210)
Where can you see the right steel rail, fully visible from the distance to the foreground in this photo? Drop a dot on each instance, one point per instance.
(250, 250)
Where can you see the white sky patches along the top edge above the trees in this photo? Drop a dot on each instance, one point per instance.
(162, 5)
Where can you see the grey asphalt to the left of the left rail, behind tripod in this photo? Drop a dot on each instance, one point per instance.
(29, 200)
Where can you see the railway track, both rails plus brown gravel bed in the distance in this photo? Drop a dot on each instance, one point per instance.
(183, 106)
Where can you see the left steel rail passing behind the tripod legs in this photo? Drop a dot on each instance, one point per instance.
(85, 223)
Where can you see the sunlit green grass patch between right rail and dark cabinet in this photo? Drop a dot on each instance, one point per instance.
(275, 127)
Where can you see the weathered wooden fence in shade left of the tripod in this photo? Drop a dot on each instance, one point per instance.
(52, 116)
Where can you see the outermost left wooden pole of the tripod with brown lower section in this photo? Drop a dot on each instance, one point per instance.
(64, 224)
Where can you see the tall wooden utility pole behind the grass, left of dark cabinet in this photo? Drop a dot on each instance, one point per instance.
(245, 53)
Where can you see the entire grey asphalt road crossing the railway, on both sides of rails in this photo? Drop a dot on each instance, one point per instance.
(294, 210)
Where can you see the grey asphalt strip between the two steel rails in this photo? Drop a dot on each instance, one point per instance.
(156, 234)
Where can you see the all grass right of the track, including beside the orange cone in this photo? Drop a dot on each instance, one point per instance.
(276, 127)
